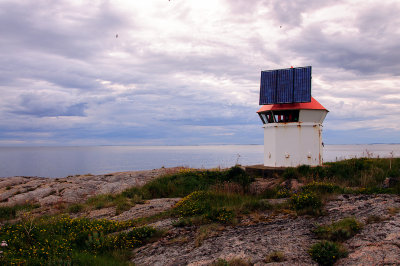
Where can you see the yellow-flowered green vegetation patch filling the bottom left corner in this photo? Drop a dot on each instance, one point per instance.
(62, 240)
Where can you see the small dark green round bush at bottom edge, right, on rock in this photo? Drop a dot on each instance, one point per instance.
(327, 252)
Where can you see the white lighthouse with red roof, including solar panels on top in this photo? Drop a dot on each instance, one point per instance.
(292, 119)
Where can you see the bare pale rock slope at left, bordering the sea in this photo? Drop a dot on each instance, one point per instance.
(73, 189)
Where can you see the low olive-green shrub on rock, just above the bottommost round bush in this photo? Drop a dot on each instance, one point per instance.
(340, 230)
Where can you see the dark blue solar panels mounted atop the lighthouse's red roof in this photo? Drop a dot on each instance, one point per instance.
(291, 85)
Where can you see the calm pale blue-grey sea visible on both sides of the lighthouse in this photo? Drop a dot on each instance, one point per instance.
(67, 161)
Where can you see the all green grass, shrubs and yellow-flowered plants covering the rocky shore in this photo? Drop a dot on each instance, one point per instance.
(211, 199)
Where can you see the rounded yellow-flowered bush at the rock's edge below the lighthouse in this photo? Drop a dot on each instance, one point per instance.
(308, 202)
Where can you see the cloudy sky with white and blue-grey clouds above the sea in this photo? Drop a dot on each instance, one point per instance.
(184, 72)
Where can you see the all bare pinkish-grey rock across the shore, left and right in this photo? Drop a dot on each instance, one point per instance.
(251, 239)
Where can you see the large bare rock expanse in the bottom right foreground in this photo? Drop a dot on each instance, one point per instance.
(289, 235)
